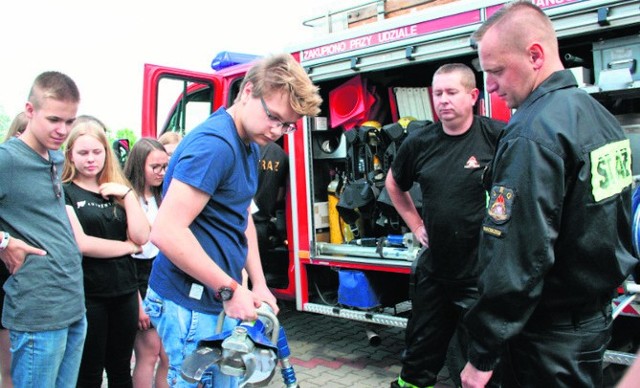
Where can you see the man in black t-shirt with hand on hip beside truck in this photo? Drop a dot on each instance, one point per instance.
(447, 159)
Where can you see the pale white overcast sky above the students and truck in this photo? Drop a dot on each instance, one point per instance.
(104, 45)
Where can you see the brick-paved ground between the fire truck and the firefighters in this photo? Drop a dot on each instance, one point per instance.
(332, 352)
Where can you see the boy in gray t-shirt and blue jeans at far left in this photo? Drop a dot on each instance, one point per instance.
(44, 303)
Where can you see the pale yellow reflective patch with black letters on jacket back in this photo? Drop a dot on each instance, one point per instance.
(610, 169)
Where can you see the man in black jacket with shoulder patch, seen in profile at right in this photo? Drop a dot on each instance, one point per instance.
(556, 238)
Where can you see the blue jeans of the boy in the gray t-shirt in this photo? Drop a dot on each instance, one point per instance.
(47, 358)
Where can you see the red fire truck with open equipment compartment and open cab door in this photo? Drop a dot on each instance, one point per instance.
(374, 76)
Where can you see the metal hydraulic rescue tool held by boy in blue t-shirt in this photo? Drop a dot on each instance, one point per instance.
(250, 351)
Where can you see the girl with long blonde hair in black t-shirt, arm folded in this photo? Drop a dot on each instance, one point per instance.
(109, 225)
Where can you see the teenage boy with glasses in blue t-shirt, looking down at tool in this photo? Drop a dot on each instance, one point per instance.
(203, 228)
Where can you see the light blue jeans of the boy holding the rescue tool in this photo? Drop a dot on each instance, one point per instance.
(180, 329)
